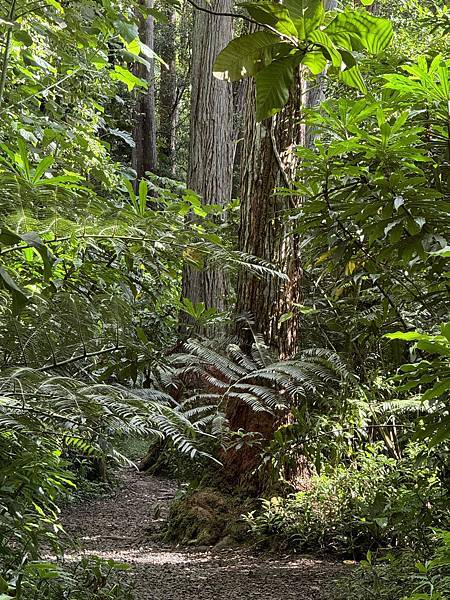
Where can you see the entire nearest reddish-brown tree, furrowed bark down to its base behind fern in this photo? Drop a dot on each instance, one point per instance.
(269, 162)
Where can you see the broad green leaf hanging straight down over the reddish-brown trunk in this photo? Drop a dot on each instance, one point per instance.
(273, 85)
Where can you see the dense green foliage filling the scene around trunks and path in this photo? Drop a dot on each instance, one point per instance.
(95, 349)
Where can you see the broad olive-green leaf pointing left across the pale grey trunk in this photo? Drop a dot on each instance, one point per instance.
(245, 56)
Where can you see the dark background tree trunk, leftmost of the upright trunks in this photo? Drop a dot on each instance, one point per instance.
(144, 134)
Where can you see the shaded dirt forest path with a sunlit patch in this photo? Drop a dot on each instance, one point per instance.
(125, 527)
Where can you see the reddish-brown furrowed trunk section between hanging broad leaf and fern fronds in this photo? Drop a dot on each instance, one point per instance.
(268, 162)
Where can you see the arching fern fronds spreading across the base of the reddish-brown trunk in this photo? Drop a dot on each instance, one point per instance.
(261, 382)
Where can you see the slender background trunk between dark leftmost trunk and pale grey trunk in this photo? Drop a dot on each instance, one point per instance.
(168, 96)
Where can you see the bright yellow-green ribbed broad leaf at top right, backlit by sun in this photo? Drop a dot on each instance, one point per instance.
(361, 30)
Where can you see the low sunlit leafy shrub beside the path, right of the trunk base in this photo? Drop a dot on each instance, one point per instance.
(374, 501)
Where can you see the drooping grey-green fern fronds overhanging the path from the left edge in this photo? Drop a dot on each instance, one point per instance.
(87, 416)
